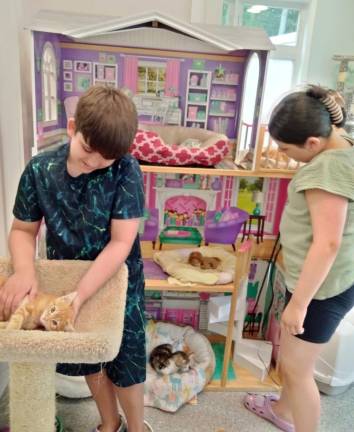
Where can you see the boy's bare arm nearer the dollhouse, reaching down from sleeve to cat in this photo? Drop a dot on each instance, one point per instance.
(123, 234)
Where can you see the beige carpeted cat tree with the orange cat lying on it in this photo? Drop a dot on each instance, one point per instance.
(33, 355)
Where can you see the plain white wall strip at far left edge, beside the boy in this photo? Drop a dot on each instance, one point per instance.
(11, 125)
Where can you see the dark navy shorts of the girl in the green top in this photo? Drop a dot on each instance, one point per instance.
(323, 316)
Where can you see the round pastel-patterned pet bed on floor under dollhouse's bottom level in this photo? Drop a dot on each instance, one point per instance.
(170, 392)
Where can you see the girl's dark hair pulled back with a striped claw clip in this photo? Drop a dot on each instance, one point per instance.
(304, 114)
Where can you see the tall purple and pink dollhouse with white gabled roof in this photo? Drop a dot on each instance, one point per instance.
(177, 74)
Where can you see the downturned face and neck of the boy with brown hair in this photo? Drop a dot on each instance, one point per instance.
(81, 157)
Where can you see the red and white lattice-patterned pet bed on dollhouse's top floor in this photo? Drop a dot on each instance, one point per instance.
(177, 145)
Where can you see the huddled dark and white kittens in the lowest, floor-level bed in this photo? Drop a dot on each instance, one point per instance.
(164, 361)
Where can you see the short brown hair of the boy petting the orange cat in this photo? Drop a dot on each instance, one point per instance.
(108, 121)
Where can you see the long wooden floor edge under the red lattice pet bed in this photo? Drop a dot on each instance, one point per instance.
(269, 173)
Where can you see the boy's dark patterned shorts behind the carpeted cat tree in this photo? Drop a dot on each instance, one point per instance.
(129, 367)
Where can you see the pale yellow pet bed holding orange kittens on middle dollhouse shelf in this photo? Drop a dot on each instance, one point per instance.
(174, 262)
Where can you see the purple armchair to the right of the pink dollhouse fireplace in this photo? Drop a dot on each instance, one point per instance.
(224, 227)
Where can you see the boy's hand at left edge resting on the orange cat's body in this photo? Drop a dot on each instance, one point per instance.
(14, 290)
